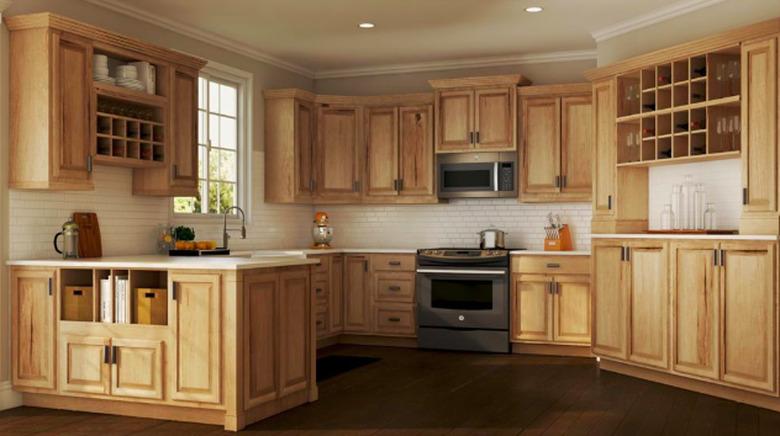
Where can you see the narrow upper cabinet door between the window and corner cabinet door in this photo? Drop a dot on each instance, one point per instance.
(304, 150)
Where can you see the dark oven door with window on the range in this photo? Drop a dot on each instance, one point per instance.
(463, 298)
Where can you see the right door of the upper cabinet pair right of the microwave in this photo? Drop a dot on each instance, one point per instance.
(576, 149)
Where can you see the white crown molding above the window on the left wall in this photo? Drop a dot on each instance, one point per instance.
(201, 35)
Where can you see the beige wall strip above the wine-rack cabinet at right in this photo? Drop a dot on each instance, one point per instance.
(720, 17)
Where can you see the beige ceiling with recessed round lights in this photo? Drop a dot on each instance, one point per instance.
(321, 36)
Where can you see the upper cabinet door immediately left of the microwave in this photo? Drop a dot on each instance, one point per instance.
(416, 150)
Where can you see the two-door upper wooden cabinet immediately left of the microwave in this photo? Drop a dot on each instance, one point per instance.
(399, 153)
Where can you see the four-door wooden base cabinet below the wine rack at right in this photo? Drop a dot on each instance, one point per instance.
(700, 309)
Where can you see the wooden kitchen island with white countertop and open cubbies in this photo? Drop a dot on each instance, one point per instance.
(228, 340)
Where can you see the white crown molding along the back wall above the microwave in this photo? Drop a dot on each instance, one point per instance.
(497, 61)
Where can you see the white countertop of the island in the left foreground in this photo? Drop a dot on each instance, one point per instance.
(158, 261)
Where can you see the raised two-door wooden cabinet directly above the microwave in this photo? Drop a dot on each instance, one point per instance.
(476, 114)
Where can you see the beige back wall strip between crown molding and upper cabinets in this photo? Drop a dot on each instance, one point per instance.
(539, 74)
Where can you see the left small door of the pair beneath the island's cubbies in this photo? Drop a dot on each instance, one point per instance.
(84, 364)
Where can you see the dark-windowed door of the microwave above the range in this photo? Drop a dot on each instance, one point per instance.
(468, 179)
